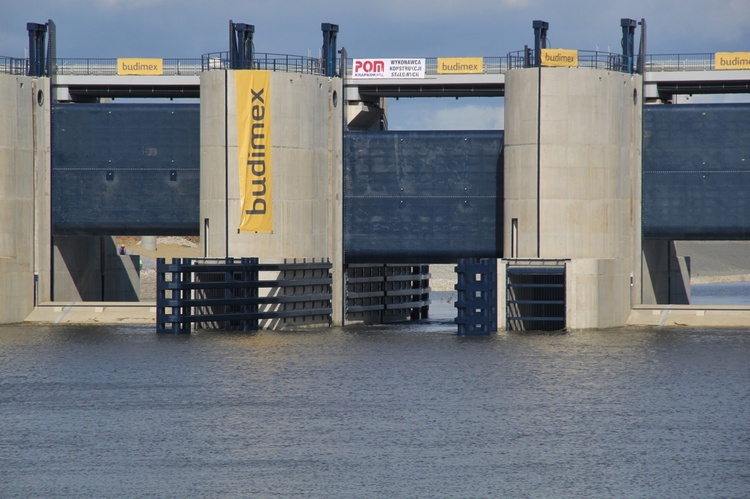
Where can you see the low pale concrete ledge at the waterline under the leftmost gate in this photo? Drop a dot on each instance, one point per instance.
(94, 313)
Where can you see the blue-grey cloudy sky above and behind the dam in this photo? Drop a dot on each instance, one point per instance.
(382, 28)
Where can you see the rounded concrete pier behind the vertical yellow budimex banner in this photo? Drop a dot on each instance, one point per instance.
(306, 123)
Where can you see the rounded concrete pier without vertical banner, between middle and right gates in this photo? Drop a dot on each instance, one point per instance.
(572, 181)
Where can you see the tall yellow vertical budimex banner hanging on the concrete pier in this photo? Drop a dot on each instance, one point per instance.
(254, 149)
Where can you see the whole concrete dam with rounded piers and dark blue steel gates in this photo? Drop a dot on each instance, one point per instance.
(595, 176)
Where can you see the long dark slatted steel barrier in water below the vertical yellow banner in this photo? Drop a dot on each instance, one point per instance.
(236, 294)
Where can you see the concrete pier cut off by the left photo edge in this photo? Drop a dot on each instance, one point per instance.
(24, 192)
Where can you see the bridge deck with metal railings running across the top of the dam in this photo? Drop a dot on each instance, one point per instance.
(664, 76)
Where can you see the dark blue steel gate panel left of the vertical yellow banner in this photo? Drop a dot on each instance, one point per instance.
(125, 169)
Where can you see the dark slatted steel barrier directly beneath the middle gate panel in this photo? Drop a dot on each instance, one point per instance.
(382, 293)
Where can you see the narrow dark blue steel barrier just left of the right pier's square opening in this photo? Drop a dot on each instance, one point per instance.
(476, 299)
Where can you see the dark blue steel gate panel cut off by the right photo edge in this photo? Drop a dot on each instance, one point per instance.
(696, 171)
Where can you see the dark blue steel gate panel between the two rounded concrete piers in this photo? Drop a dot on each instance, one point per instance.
(429, 197)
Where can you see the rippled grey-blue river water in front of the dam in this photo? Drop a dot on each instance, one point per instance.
(383, 411)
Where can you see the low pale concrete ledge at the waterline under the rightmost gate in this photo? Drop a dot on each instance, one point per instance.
(708, 316)
